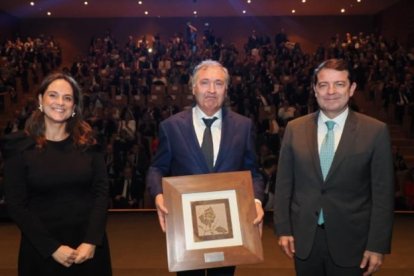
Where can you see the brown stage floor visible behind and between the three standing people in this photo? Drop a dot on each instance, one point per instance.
(138, 248)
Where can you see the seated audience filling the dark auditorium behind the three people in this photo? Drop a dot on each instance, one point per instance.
(129, 88)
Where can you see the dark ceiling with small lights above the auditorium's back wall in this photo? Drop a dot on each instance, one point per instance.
(190, 8)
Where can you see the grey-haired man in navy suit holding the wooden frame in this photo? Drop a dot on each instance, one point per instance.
(181, 141)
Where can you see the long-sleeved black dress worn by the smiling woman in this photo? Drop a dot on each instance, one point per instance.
(57, 196)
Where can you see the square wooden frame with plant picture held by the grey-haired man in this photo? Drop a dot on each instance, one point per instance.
(210, 221)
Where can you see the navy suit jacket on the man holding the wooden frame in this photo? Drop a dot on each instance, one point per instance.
(179, 152)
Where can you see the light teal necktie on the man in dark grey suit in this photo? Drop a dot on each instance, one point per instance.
(326, 156)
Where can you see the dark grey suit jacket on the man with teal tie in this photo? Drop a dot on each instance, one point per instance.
(356, 197)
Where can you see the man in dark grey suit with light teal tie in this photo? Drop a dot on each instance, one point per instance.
(335, 219)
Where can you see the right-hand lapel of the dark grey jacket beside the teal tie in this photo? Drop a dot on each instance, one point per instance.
(346, 143)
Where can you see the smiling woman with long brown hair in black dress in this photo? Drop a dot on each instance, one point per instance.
(56, 187)
